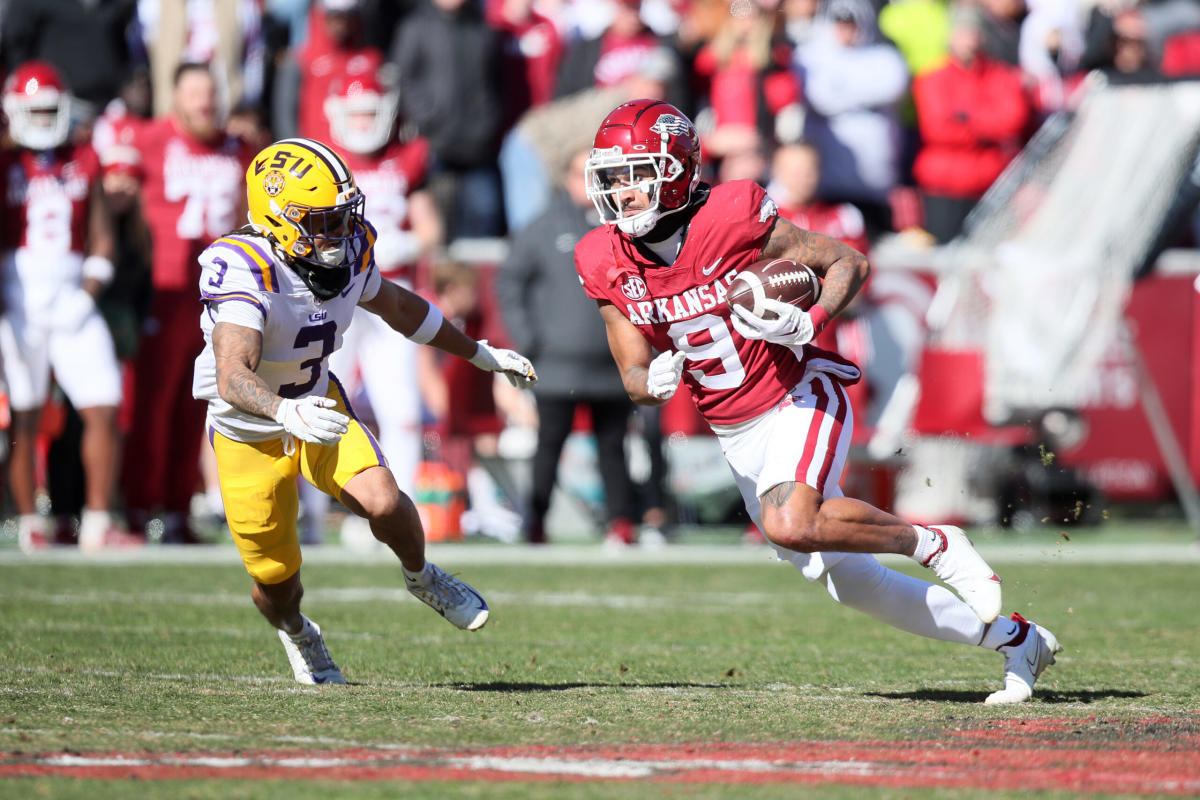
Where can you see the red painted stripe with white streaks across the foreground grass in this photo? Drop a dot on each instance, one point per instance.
(971, 760)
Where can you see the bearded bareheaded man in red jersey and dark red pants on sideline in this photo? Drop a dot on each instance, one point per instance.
(193, 194)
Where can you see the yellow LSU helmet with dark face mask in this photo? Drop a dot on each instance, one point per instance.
(302, 196)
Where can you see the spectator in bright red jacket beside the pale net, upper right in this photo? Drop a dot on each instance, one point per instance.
(973, 115)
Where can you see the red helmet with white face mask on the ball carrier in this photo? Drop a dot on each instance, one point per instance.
(650, 147)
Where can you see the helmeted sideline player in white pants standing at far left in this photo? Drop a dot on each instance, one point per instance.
(57, 257)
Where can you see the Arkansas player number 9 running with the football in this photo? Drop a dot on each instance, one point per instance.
(661, 270)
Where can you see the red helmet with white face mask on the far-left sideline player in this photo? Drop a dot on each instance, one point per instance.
(38, 106)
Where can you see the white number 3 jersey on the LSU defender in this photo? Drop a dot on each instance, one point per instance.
(244, 282)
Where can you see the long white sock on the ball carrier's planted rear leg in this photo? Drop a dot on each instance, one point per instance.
(861, 582)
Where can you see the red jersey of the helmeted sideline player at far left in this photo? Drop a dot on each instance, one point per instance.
(47, 197)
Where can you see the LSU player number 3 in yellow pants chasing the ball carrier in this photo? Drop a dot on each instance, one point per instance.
(278, 297)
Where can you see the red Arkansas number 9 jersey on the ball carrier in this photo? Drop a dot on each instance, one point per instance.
(682, 308)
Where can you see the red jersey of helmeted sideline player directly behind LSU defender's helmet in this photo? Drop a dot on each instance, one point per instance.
(386, 181)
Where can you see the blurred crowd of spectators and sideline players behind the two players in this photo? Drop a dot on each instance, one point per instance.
(467, 121)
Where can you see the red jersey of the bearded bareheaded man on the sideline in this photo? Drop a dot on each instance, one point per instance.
(191, 196)
